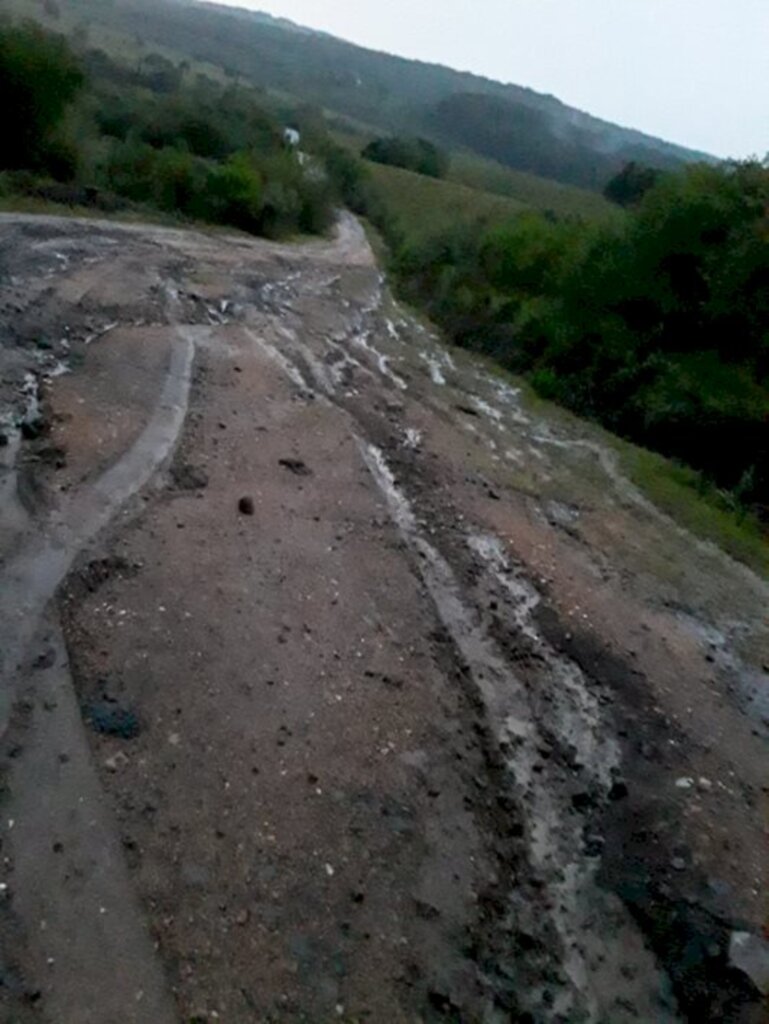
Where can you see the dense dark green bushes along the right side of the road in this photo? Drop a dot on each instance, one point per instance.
(657, 326)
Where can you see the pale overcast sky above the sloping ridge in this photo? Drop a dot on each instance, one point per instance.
(695, 72)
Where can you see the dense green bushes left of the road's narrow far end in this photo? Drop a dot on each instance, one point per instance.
(153, 136)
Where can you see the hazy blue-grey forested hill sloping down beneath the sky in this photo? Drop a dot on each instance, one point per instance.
(515, 125)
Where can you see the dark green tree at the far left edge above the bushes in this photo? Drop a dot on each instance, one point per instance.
(39, 78)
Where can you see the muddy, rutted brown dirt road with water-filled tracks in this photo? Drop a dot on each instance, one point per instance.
(339, 681)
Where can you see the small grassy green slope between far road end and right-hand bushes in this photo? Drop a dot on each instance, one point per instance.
(420, 206)
